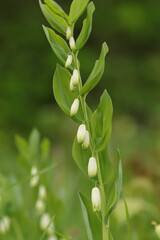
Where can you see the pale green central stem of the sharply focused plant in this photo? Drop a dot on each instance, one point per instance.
(94, 153)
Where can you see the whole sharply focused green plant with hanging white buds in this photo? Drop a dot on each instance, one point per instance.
(90, 150)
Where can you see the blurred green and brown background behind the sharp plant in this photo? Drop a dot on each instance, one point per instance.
(132, 78)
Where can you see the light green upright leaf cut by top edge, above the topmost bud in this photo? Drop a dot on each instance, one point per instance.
(76, 10)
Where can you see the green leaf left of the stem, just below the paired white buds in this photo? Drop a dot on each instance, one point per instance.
(81, 157)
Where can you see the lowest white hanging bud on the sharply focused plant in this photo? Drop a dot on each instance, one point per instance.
(96, 199)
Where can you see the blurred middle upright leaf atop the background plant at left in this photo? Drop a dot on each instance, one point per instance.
(34, 141)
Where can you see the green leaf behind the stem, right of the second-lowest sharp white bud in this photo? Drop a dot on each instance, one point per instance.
(105, 165)
